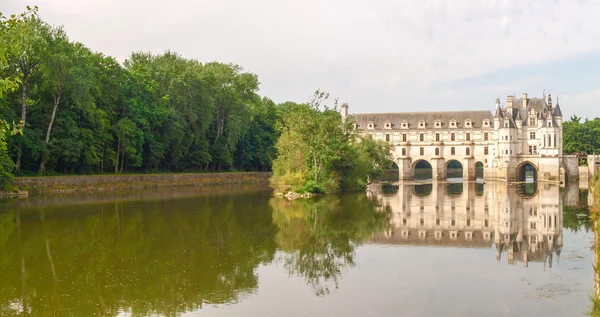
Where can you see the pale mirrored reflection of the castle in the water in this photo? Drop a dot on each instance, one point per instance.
(523, 222)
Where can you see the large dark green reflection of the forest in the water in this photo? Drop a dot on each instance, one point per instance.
(148, 258)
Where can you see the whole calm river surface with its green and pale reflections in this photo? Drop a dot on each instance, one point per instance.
(460, 249)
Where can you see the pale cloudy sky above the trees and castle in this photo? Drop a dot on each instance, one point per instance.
(377, 55)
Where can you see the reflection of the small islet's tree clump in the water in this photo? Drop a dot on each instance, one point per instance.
(318, 237)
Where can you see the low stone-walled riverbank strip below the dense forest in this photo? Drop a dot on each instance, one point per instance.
(97, 183)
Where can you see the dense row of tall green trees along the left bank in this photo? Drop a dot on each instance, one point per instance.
(84, 112)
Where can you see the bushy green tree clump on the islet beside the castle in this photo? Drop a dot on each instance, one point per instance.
(316, 145)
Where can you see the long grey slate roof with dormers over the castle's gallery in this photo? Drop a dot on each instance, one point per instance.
(413, 118)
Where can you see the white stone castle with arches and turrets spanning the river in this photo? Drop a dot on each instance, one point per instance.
(524, 134)
